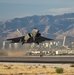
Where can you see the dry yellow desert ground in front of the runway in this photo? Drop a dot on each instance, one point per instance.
(34, 69)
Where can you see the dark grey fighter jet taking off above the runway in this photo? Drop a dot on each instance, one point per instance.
(33, 37)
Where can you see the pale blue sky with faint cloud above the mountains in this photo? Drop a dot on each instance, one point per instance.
(10, 9)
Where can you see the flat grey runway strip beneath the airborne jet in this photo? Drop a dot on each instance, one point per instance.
(50, 59)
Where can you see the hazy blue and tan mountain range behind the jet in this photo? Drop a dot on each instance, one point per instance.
(51, 26)
